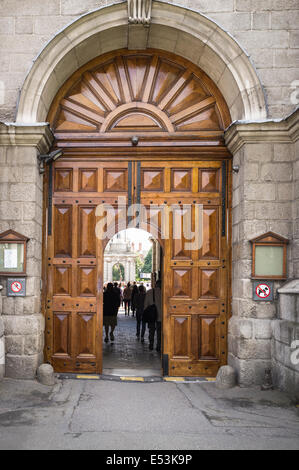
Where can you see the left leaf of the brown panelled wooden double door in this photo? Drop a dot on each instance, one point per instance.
(75, 261)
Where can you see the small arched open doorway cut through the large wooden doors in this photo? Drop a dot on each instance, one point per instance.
(128, 352)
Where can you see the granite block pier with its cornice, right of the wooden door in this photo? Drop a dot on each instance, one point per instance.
(263, 200)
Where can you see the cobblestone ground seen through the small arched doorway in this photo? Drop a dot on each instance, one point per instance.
(127, 353)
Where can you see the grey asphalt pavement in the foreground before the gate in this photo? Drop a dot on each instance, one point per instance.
(116, 415)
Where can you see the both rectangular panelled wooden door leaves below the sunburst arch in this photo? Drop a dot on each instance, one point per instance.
(195, 279)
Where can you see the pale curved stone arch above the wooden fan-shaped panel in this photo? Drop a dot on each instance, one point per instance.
(173, 29)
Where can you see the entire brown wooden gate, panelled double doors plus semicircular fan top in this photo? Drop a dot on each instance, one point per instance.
(177, 159)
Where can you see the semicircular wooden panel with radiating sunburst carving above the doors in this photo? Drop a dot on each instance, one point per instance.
(136, 93)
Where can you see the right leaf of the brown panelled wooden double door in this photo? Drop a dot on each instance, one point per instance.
(195, 295)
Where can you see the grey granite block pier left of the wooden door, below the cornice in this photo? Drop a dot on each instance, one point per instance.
(21, 210)
